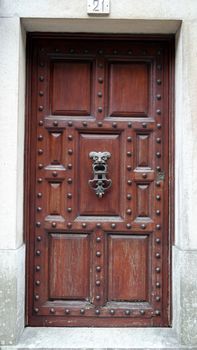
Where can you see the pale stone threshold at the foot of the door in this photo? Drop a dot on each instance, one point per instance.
(98, 338)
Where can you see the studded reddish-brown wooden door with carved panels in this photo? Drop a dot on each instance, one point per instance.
(98, 252)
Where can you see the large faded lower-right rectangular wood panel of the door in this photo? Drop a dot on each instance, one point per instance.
(128, 267)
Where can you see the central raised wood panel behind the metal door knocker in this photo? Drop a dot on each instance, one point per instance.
(89, 203)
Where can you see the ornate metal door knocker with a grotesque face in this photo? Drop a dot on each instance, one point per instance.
(100, 183)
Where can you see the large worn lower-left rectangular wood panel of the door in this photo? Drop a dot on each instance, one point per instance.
(69, 266)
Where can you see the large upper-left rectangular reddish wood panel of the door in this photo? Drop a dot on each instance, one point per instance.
(71, 88)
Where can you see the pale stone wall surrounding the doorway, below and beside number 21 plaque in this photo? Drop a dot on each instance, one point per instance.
(129, 16)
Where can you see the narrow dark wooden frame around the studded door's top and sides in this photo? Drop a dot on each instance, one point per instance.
(169, 39)
